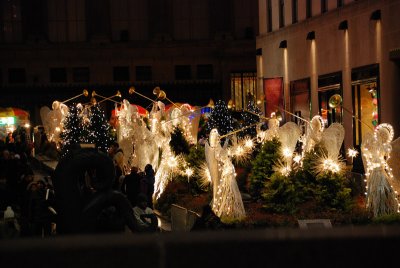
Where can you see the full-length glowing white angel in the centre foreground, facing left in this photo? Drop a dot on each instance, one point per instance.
(227, 201)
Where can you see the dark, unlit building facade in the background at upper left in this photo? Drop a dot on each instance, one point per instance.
(194, 50)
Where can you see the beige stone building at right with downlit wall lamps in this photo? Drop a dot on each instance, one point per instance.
(338, 59)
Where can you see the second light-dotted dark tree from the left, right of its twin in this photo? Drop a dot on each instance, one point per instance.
(99, 129)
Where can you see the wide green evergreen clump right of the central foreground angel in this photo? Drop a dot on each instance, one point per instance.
(326, 190)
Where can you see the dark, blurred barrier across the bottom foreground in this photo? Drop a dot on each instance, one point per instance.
(335, 247)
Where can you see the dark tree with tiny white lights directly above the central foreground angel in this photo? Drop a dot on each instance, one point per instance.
(221, 119)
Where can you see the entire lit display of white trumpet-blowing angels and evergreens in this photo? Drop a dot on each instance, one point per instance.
(287, 169)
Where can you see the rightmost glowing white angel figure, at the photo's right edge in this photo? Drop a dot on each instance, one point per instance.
(376, 149)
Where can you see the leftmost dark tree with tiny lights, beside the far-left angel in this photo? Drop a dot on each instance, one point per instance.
(73, 128)
